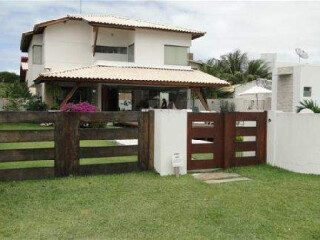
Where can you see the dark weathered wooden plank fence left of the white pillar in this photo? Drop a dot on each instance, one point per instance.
(67, 151)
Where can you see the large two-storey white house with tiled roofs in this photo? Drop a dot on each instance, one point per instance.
(97, 57)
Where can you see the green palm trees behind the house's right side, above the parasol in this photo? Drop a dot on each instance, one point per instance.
(236, 68)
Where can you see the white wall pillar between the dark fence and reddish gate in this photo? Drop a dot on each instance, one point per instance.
(170, 136)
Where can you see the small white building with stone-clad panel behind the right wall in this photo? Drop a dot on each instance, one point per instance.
(293, 83)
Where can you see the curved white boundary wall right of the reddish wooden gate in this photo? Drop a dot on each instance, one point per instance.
(294, 141)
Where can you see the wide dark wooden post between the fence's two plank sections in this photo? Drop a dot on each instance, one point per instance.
(67, 144)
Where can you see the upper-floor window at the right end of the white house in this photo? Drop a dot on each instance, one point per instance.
(175, 55)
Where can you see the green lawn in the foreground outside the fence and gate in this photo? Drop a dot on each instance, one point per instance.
(275, 205)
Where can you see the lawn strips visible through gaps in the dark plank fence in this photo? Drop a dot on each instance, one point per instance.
(50, 163)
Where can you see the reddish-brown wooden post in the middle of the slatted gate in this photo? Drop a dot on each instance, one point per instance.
(229, 139)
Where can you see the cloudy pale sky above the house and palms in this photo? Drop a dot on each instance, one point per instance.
(254, 27)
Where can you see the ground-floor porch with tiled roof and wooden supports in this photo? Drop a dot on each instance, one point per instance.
(114, 88)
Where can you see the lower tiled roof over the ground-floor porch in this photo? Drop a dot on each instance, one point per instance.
(134, 76)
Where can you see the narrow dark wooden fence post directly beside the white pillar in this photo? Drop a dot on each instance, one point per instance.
(143, 156)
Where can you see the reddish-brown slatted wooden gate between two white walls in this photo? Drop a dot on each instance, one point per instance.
(223, 140)
